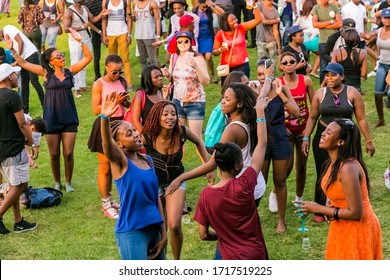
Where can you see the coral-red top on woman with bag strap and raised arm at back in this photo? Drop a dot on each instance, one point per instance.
(239, 53)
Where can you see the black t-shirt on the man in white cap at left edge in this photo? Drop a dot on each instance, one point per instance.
(11, 137)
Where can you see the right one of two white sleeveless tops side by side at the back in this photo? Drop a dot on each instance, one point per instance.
(145, 27)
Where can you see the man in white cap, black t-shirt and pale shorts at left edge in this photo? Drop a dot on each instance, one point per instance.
(14, 134)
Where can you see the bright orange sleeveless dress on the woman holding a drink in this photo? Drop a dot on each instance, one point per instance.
(352, 240)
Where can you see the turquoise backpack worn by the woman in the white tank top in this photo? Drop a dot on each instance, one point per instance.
(214, 129)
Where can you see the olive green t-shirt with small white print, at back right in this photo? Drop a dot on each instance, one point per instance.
(325, 14)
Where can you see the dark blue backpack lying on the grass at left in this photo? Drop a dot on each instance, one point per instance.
(42, 198)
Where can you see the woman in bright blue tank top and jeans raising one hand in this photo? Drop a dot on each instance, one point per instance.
(140, 230)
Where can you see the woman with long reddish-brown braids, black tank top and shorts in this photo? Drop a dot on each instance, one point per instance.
(164, 139)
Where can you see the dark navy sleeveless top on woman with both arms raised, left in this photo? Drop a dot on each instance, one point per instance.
(59, 108)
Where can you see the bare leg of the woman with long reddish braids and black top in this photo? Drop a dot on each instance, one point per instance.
(174, 207)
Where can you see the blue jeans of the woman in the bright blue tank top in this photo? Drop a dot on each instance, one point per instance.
(135, 245)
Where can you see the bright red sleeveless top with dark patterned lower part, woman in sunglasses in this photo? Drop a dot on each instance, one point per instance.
(300, 96)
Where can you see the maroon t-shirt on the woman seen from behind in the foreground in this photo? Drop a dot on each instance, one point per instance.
(231, 211)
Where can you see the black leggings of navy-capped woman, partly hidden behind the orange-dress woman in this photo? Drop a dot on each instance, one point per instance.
(320, 157)
